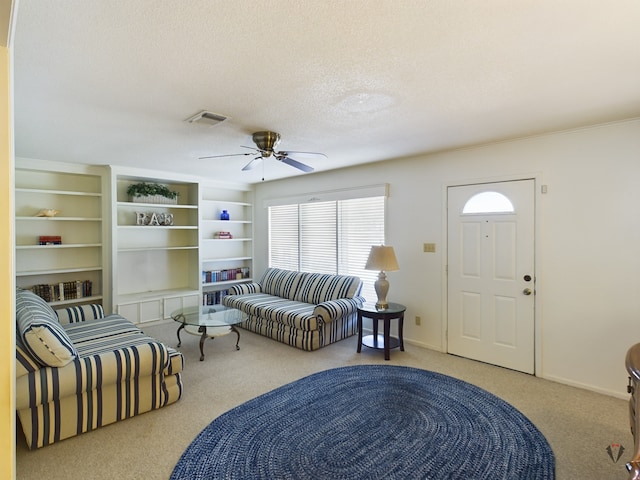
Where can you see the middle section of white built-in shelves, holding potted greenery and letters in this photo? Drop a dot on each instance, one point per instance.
(154, 266)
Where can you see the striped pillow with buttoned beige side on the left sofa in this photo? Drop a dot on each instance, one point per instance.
(42, 334)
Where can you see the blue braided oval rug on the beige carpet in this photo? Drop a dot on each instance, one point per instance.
(370, 422)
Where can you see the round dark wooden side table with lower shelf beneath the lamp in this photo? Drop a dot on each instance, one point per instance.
(385, 341)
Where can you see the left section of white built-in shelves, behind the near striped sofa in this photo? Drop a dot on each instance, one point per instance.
(76, 192)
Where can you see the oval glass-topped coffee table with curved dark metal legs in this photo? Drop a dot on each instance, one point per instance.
(208, 321)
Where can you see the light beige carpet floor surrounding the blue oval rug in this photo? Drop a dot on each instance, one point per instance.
(578, 424)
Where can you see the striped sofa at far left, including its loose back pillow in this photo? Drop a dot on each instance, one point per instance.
(77, 370)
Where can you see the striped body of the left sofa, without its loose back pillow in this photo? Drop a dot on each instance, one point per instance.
(119, 372)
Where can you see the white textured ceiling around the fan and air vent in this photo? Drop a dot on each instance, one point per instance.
(112, 82)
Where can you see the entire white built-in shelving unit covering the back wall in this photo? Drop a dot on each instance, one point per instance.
(143, 272)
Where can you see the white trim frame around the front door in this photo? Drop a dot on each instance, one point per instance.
(537, 317)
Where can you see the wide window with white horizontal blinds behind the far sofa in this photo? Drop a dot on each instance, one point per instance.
(328, 237)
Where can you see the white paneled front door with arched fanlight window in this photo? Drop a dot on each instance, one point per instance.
(491, 273)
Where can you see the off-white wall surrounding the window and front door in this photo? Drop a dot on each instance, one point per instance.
(588, 235)
